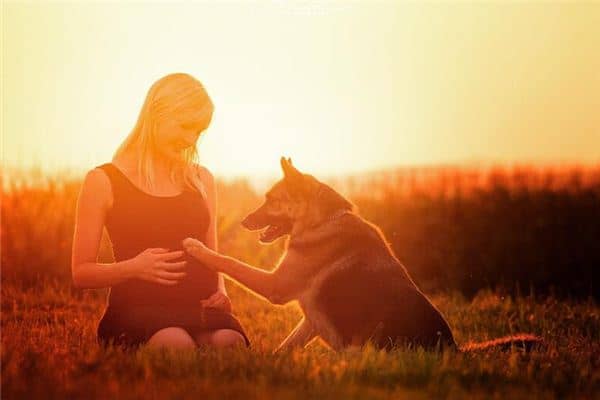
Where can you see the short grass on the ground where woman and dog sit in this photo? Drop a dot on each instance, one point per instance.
(49, 351)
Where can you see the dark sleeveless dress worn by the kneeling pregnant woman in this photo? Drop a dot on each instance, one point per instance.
(136, 309)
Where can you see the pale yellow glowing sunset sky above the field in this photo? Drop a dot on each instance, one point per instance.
(339, 87)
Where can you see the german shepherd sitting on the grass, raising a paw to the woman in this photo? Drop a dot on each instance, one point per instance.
(339, 267)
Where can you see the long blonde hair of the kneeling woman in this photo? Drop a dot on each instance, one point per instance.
(179, 97)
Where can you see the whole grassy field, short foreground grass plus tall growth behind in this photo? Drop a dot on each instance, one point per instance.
(499, 251)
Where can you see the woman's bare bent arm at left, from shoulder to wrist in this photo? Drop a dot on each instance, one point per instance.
(92, 204)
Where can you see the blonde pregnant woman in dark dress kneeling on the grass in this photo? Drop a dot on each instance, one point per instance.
(151, 196)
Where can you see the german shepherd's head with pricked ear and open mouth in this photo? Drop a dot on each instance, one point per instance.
(296, 200)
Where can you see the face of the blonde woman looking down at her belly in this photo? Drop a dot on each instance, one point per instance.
(175, 135)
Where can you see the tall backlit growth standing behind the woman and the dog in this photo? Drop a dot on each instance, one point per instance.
(520, 228)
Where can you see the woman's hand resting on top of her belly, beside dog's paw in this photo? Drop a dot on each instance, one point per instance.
(151, 265)
